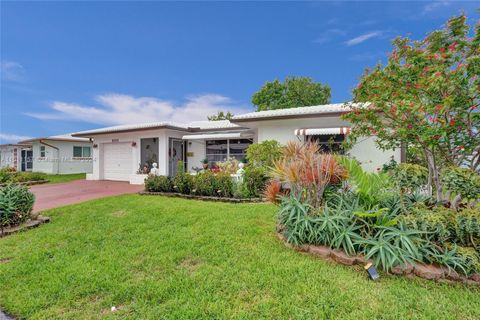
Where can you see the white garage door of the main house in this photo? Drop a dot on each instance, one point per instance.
(117, 164)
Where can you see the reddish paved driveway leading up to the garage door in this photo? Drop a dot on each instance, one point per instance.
(49, 196)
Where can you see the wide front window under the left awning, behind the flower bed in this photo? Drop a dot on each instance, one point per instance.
(220, 150)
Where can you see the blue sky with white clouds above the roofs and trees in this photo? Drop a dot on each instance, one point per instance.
(67, 67)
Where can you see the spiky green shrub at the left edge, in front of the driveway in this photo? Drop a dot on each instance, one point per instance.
(16, 204)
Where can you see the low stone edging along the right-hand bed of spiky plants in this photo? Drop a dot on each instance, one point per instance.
(421, 270)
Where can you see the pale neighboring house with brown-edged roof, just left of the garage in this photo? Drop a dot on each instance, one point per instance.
(61, 154)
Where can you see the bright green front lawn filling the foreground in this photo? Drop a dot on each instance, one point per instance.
(171, 258)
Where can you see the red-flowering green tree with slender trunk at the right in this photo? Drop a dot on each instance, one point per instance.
(427, 97)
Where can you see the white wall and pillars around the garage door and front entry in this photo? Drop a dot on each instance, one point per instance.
(162, 136)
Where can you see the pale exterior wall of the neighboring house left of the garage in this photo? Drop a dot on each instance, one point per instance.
(60, 161)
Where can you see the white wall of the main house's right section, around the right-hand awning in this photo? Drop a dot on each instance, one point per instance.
(364, 151)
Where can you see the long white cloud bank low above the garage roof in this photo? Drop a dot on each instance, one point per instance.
(116, 109)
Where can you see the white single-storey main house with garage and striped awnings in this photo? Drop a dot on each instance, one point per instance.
(120, 152)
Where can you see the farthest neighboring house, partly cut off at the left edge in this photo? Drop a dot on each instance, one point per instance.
(18, 156)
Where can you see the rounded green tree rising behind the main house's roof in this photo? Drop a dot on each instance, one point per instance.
(292, 93)
